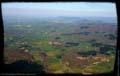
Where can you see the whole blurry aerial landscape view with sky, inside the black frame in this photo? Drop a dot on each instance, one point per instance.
(60, 37)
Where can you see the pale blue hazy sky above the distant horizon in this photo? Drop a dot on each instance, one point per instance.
(60, 9)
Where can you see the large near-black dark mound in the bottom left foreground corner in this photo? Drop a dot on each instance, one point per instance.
(23, 66)
